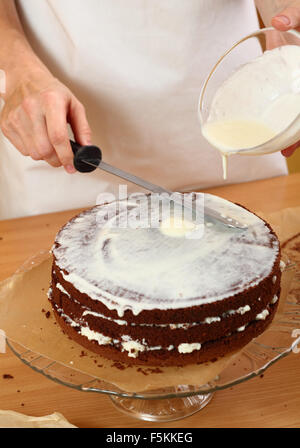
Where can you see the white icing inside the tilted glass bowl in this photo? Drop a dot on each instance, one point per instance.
(267, 103)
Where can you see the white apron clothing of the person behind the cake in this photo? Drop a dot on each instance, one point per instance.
(138, 68)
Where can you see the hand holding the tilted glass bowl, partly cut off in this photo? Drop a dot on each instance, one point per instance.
(288, 19)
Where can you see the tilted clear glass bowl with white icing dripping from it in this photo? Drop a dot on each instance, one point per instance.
(254, 109)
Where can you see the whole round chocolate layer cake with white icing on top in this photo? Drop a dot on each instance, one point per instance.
(143, 296)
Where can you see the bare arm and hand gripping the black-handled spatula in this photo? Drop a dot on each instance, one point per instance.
(37, 106)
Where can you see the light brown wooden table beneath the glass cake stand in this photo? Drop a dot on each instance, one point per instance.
(270, 401)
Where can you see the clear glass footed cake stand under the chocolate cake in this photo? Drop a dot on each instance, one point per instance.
(174, 403)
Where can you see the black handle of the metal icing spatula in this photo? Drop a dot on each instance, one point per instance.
(89, 153)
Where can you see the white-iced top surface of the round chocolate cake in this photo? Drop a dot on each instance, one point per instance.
(149, 268)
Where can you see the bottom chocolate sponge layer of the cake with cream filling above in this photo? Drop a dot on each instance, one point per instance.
(137, 351)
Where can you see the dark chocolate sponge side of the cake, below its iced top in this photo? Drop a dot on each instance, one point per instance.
(220, 327)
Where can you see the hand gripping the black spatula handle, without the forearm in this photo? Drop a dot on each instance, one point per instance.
(35, 119)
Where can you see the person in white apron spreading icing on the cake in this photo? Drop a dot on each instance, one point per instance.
(124, 76)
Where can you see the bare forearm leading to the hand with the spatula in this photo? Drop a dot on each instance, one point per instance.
(16, 55)
